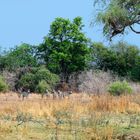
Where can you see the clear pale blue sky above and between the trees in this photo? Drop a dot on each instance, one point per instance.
(28, 21)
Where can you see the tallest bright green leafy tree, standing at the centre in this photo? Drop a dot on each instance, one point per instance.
(65, 49)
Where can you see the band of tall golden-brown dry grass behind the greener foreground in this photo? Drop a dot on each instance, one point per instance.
(78, 104)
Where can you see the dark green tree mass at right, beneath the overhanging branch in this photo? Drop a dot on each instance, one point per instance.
(121, 58)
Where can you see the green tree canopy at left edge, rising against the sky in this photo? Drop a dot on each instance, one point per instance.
(20, 56)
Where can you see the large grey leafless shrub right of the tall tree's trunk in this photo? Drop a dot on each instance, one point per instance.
(92, 81)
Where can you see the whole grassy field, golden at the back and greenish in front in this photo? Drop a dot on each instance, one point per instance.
(80, 117)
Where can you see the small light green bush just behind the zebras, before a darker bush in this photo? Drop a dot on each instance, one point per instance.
(42, 86)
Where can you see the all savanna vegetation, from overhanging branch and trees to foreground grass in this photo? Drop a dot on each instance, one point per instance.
(81, 89)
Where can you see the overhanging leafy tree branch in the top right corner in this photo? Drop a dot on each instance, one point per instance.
(118, 15)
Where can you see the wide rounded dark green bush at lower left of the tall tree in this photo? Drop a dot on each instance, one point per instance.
(36, 78)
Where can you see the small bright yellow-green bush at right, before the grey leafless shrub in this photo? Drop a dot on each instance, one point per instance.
(118, 88)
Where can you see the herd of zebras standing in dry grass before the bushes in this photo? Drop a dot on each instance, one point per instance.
(55, 94)
